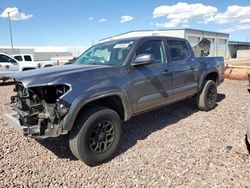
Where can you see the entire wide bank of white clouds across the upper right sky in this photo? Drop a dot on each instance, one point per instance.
(180, 14)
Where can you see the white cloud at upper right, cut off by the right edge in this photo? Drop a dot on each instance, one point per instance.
(233, 14)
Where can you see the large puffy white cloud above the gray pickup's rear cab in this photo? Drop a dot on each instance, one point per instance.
(183, 13)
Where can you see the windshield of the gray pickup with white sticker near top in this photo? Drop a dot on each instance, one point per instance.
(106, 54)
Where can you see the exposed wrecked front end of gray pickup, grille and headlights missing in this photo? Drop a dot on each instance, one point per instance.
(41, 111)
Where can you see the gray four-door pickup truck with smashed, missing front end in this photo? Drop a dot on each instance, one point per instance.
(107, 85)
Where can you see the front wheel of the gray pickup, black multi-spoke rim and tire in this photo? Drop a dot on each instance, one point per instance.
(95, 135)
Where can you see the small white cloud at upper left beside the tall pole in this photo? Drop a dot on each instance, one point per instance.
(15, 14)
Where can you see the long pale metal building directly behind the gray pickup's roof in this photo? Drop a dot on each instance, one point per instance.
(218, 41)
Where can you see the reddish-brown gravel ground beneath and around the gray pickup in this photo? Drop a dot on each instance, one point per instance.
(173, 146)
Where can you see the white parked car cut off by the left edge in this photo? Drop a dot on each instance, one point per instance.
(9, 65)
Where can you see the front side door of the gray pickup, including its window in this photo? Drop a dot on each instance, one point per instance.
(151, 82)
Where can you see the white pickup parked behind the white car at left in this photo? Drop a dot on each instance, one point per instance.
(28, 58)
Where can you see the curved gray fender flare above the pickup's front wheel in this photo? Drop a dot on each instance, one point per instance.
(82, 100)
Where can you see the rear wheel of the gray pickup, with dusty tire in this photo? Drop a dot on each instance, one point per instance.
(207, 97)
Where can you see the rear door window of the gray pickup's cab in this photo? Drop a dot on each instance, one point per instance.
(178, 50)
